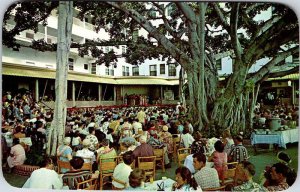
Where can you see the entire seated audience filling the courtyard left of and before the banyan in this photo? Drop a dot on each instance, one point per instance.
(123, 135)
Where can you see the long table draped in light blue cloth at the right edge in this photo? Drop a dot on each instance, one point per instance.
(279, 138)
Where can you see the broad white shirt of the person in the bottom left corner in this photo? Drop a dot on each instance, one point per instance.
(44, 178)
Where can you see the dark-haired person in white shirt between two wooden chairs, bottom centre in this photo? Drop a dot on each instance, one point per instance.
(123, 170)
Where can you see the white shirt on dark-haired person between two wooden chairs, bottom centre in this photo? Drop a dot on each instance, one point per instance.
(122, 172)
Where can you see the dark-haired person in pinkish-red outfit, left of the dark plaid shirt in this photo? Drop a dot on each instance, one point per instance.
(219, 157)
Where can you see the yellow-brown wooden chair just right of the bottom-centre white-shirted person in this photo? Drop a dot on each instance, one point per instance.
(148, 164)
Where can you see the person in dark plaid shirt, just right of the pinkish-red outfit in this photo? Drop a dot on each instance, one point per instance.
(238, 152)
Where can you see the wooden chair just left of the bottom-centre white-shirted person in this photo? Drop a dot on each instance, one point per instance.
(107, 166)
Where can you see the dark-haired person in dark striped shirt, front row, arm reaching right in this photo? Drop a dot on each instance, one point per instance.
(76, 175)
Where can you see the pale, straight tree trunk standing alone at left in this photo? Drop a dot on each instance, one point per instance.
(65, 21)
